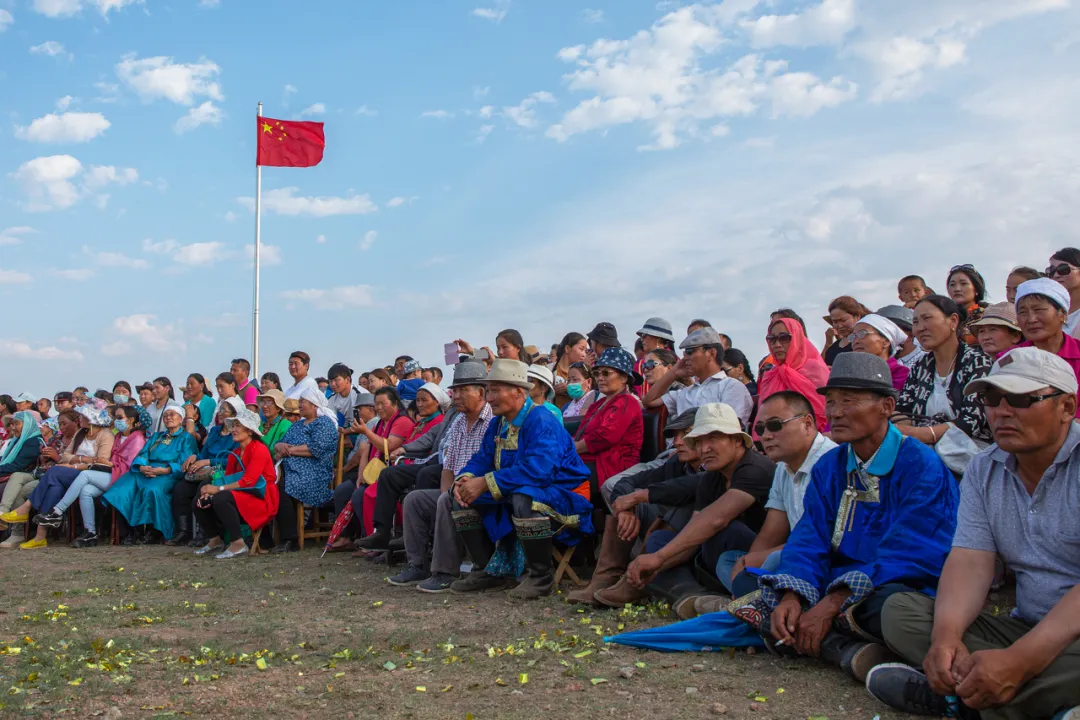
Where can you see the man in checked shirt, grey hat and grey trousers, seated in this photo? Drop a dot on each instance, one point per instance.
(428, 519)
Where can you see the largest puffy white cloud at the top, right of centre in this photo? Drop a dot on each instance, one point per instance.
(659, 78)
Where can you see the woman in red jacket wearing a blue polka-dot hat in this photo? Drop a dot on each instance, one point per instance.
(610, 438)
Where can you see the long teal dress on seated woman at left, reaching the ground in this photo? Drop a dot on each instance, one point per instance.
(148, 500)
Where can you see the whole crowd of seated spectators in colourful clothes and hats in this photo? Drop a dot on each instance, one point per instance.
(854, 504)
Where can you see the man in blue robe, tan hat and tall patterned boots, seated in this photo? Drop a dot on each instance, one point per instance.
(525, 482)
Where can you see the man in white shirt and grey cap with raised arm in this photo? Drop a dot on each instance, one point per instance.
(703, 360)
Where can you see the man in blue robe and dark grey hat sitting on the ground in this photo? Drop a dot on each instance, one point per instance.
(880, 517)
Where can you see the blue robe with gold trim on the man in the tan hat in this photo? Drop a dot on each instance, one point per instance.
(533, 456)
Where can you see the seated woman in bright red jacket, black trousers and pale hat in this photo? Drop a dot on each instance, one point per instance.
(248, 492)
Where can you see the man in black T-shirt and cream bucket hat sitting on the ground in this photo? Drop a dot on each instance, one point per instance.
(730, 510)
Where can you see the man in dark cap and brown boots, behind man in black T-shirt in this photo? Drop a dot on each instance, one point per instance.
(633, 515)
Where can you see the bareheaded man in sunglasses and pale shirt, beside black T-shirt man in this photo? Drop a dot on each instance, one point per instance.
(789, 431)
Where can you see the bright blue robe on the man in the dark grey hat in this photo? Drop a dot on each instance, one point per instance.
(898, 531)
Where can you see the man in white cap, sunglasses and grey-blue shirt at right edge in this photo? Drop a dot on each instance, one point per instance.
(1019, 500)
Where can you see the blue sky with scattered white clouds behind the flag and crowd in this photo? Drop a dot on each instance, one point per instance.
(491, 165)
